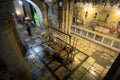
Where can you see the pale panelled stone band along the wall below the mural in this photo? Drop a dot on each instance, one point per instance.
(101, 39)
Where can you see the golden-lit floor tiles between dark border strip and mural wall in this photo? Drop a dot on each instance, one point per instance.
(101, 57)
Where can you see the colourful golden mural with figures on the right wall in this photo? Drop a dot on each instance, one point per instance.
(101, 21)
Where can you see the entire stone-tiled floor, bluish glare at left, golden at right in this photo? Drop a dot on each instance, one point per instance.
(91, 61)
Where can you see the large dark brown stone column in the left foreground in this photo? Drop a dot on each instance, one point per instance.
(9, 50)
